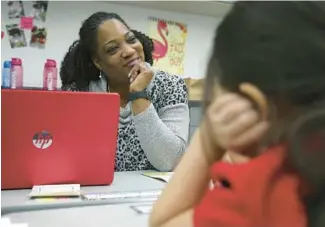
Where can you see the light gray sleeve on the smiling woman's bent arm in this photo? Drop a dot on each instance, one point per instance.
(163, 135)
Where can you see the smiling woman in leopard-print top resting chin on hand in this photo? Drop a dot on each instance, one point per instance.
(154, 115)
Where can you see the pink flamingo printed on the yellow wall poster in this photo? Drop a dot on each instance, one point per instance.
(160, 49)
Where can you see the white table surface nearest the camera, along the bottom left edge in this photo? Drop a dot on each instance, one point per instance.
(100, 216)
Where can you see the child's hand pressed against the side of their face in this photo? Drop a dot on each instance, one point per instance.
(234, 123)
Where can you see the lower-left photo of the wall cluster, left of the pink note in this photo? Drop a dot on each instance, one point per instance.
(16, 36)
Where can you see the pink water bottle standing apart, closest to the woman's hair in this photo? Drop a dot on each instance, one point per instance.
(50, 75)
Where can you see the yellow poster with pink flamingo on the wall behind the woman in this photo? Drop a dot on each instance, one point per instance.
(169, 39)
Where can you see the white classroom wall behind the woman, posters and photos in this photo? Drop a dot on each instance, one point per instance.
(63, 22)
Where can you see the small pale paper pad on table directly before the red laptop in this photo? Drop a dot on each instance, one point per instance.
(55, 190)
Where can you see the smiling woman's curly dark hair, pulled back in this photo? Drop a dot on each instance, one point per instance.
(77, 66)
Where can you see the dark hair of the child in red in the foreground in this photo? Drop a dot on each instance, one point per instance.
(280, 48)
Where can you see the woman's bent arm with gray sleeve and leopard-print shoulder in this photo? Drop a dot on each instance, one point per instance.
(163, 135)
